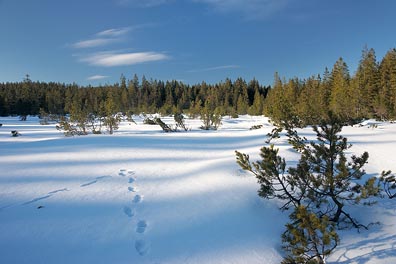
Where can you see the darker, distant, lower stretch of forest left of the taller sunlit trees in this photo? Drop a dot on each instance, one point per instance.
(132, 96)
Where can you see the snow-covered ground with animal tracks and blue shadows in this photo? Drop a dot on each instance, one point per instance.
(144, 196)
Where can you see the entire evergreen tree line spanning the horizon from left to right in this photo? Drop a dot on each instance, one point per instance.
(369, 93)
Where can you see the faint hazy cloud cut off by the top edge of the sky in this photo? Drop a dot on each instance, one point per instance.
(251, 9)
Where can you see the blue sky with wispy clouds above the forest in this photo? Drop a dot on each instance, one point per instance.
(95, 41)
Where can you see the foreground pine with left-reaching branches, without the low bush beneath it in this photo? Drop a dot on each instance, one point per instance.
(324, 180)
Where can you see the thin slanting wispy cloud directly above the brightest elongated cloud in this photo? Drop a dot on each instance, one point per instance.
(103, 38)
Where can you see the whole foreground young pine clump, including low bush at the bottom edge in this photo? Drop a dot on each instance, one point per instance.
(318, 189)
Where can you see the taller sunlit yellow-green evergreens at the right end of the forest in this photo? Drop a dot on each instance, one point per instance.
(369, 93)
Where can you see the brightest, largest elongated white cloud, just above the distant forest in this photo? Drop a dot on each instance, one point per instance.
(110, 59)
